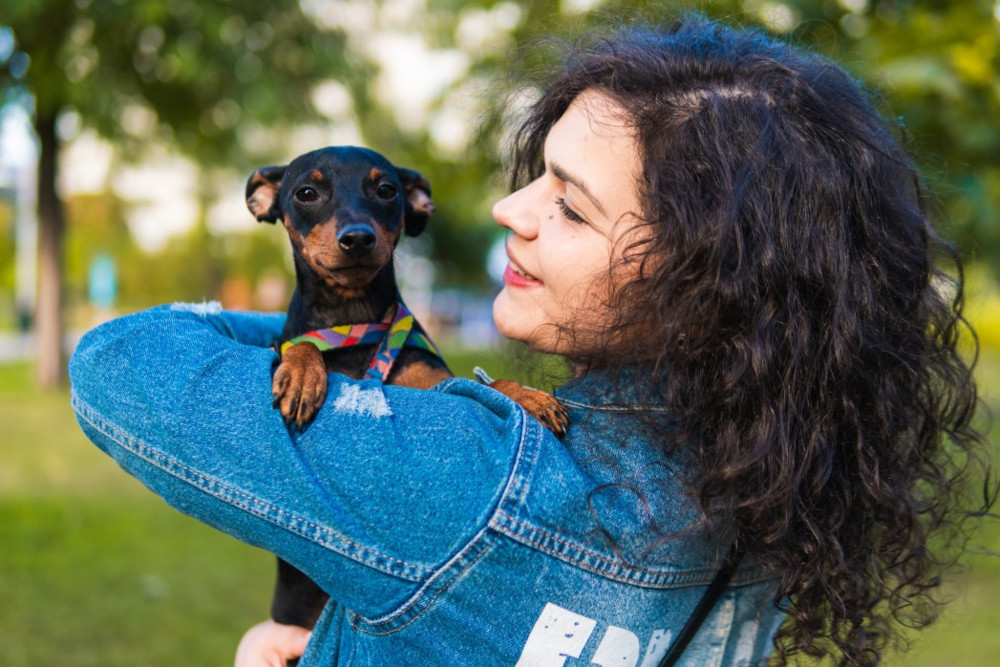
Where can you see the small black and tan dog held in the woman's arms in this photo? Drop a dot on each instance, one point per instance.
(345, 209)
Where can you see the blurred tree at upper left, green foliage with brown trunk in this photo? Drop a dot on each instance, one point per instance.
(202, 75)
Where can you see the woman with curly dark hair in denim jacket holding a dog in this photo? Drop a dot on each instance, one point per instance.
(726, 242)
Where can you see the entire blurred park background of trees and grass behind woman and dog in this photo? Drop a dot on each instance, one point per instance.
(127, 132)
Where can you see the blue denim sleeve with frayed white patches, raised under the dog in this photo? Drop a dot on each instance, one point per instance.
(382, 489)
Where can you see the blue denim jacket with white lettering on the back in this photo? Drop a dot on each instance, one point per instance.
(448, 527)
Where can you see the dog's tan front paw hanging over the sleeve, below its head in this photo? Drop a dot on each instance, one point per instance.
(299, 384)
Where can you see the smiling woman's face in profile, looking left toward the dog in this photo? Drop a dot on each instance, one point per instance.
(566, 229)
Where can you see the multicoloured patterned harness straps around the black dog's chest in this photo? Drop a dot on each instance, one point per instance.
(397, 329)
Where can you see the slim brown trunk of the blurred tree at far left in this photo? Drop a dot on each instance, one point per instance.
(49, 326)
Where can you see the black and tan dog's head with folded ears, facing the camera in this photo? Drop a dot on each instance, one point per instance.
(344, 208)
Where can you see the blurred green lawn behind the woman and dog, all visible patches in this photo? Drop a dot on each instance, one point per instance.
(94, 570)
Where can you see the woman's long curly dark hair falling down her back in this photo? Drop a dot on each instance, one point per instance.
(802, 326)
